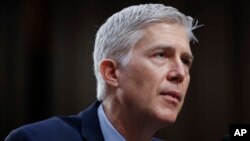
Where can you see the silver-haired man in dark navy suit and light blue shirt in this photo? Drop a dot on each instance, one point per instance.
(142, 59)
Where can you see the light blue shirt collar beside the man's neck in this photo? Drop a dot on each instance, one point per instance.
(108, 131)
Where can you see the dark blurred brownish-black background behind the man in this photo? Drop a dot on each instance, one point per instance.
(46, 63)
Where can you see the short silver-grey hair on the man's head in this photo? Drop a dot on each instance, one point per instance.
(118, 35)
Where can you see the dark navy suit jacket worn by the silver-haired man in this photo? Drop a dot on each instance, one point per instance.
(82, 127)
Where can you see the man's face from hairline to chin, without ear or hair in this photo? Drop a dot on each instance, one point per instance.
(156, 79)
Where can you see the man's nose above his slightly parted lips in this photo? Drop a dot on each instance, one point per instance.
(176, 73)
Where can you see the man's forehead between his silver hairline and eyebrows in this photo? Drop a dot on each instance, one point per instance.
(163, 34)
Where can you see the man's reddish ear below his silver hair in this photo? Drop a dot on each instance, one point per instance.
(108, 69)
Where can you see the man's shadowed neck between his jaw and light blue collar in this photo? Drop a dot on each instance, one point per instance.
(131, 125)
